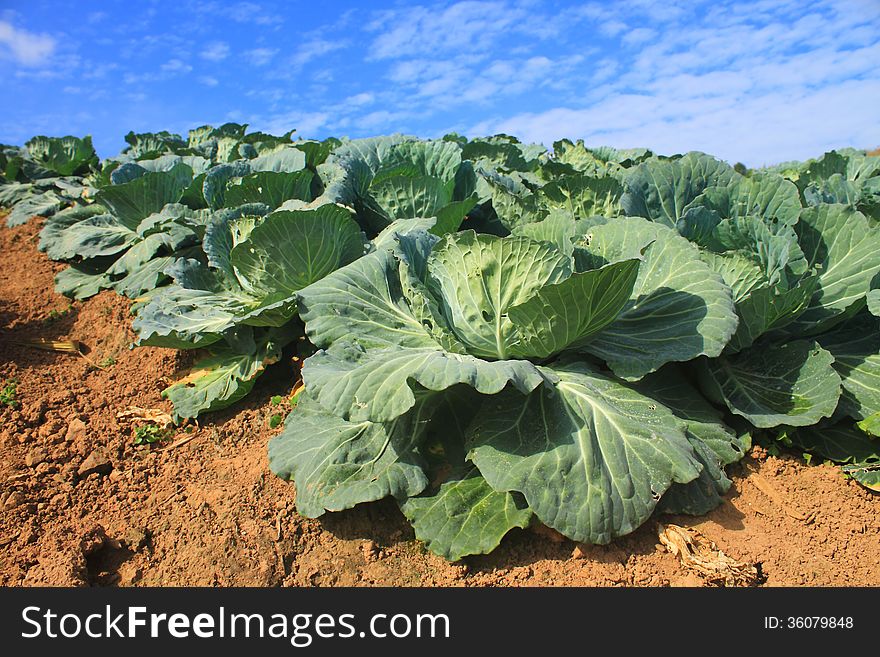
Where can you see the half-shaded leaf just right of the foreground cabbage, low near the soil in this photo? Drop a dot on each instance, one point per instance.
(772, 385)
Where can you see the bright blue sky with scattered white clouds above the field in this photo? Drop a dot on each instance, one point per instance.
(757, 81)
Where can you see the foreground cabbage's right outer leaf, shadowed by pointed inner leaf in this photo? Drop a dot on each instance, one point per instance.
(679, 308)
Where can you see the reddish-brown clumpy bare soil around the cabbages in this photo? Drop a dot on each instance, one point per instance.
(81, 505)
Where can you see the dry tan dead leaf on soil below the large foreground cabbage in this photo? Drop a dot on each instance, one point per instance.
(698, 553)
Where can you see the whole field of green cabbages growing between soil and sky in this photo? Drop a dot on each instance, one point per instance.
(490, 332)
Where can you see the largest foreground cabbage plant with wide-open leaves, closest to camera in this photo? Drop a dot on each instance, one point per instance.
(550, 335)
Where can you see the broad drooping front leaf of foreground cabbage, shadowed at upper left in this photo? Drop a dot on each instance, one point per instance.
(591, 456)
